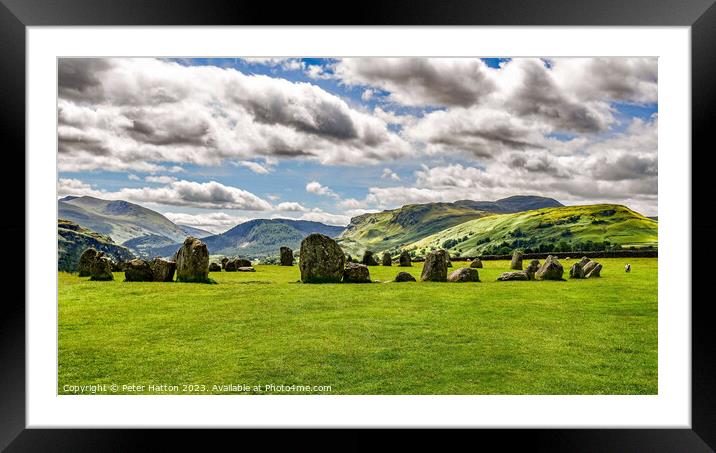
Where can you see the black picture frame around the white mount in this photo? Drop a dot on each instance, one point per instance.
(16, 15)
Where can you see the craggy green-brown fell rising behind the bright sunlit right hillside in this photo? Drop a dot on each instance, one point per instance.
(389, 230)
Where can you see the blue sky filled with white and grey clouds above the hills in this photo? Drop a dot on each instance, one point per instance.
(214, 142)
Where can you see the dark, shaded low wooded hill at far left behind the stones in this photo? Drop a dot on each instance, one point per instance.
(73, 240)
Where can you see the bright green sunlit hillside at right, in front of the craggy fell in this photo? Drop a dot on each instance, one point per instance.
(550, 229)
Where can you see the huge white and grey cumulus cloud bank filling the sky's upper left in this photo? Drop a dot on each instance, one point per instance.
(134, 114)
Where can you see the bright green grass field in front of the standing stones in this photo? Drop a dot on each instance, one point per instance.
(596, 336)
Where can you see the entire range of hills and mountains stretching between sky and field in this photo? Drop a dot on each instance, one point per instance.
(467, 227)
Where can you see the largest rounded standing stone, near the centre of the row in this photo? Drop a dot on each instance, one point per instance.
(321, 260)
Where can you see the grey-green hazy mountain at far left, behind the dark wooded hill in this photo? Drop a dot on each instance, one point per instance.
(118, 219)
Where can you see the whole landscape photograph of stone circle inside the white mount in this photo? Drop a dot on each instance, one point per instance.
(357, 226)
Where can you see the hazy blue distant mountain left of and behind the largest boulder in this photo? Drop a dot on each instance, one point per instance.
(258, 238)
